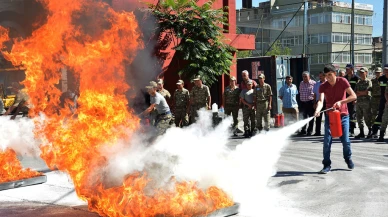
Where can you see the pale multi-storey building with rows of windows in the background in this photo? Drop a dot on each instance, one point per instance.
(328, 31)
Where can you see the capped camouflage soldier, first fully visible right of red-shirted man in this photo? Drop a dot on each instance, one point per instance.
(363, 108)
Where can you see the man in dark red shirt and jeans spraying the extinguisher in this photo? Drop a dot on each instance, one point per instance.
(334, 92)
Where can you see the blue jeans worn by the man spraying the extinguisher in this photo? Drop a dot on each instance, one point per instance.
(327, 141)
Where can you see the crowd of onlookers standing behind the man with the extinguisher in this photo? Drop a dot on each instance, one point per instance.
(368, 111)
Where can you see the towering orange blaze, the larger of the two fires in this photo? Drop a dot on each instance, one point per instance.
(72, 142)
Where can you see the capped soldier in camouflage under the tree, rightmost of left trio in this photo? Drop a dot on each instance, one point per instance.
(199, 98)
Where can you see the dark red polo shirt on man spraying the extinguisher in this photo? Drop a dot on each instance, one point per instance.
(335, 93)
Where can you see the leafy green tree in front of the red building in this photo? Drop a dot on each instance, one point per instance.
(197, 34)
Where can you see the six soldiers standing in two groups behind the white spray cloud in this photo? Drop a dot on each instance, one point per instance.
(255, 99)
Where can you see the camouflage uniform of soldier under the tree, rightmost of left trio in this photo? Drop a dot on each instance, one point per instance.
(199, 97)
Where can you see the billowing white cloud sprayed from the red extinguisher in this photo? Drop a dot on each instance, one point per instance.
(201, 153)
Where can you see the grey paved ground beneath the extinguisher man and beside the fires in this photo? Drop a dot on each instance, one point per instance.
(361, 192)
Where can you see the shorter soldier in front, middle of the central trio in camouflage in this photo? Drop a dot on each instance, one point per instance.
(246, 96)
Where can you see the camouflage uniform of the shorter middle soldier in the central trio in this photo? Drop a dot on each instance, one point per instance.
(248, 113)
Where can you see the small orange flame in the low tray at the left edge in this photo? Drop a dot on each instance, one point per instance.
(11, 169)
